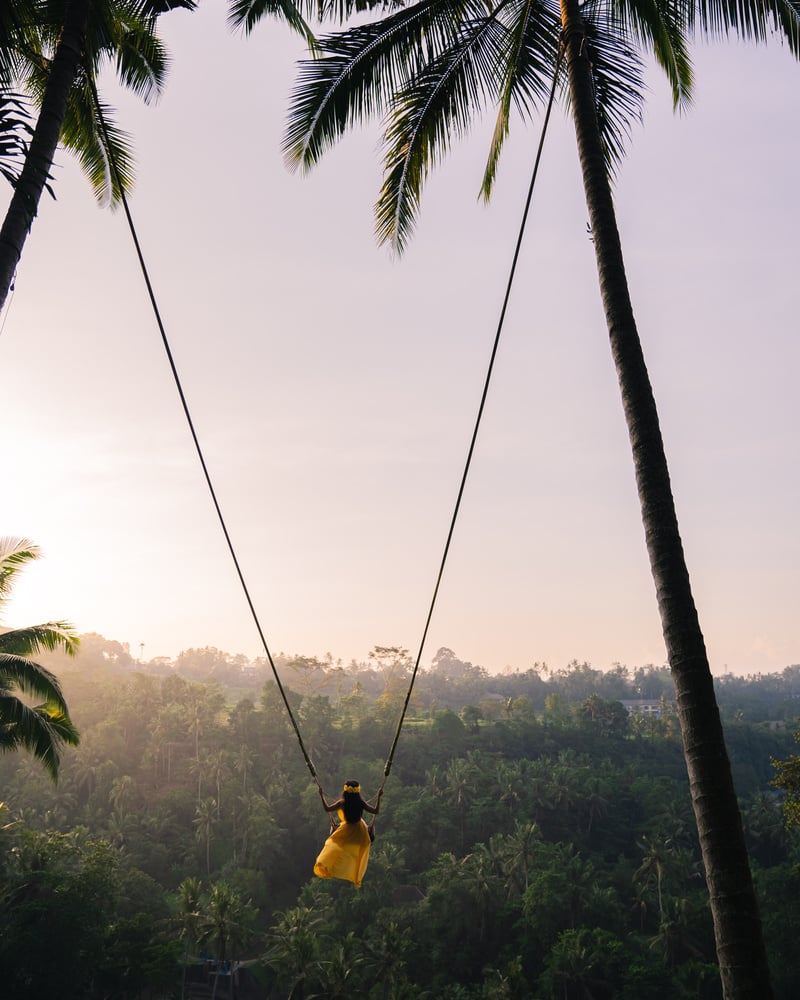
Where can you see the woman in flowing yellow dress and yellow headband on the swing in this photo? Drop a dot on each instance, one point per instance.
(346, 851)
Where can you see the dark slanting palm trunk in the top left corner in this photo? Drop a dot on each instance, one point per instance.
(41, 152)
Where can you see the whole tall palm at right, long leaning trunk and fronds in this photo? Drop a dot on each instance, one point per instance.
(429, 66)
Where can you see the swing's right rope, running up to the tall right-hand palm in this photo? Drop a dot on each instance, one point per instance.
(388, 766)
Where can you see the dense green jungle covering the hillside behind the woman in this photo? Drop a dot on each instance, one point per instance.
(535, 840)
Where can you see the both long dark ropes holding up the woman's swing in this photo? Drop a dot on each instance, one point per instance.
(207, 476)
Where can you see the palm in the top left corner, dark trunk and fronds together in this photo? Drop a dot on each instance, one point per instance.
(55, 51)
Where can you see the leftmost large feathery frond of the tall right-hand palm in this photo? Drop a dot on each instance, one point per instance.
(360, 73)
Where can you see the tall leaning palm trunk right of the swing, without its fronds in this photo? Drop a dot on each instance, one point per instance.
(737, 927)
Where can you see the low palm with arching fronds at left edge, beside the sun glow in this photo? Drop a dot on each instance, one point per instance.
(46, 728)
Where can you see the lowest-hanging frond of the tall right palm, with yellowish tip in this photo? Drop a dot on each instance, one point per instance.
(435, 106)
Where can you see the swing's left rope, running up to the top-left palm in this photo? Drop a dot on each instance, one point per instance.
(195, 439)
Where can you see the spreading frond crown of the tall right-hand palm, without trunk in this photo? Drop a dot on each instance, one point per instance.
(430, 68)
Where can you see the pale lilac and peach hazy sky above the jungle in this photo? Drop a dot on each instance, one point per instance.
(334, 387)
